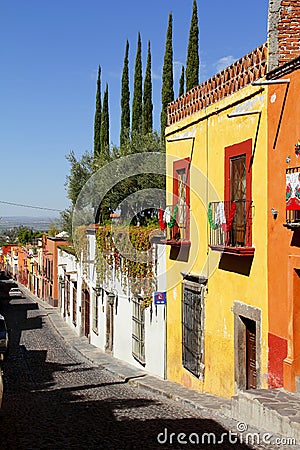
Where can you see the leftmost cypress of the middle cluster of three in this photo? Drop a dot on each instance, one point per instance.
(125, 101)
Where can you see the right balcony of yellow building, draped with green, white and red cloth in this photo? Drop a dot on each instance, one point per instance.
(231, 227)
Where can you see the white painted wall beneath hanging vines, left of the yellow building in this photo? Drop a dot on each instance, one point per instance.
(154, 320)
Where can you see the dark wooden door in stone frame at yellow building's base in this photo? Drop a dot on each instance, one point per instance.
(251, 354)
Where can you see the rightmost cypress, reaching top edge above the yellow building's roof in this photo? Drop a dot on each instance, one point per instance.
(192, 61)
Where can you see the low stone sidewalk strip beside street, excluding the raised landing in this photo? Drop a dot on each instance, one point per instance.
(212, 407)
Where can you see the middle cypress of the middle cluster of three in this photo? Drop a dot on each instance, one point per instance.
(137, 102)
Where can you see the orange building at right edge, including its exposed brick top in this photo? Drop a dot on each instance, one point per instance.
(283, 195)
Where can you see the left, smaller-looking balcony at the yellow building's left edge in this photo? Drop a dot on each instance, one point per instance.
(175, 222)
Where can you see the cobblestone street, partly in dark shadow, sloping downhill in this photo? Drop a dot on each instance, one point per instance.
(56, 399)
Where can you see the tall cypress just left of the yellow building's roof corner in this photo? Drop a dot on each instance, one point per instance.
(167, 91)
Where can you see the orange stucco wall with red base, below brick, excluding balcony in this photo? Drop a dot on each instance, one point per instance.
(283, 243)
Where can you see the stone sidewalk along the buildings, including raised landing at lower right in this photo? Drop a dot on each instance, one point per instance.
(275, 411)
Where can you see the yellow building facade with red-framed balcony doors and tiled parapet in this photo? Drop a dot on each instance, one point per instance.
(217, 155)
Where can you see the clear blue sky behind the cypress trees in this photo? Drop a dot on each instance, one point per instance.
(50, 52)
